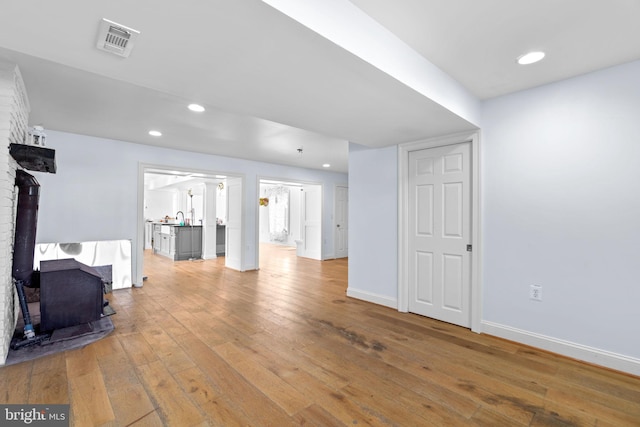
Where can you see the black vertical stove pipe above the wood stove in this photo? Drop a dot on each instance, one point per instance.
(26, 222)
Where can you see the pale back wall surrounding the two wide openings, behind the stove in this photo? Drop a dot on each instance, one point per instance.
(94, 194)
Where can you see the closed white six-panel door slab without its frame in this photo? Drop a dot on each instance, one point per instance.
(439, 232)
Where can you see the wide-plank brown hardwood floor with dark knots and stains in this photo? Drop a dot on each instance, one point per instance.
(200, 345)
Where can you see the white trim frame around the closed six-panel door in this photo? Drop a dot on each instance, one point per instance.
(403, 223)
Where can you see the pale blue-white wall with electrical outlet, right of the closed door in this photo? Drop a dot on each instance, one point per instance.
(562, 210)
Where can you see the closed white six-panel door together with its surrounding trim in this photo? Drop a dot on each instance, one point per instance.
(449, 276)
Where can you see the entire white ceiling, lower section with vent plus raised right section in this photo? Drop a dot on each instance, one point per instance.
(271, 85)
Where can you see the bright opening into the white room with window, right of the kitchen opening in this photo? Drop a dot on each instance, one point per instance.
(290, 216)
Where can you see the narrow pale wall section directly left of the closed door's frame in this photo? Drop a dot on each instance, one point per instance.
(373, 224)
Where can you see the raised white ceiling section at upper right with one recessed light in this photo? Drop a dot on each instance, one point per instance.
(477, 42)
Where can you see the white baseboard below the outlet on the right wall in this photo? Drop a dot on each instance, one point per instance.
(585, 353)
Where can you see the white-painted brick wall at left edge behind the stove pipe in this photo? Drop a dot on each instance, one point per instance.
(14, 113)
